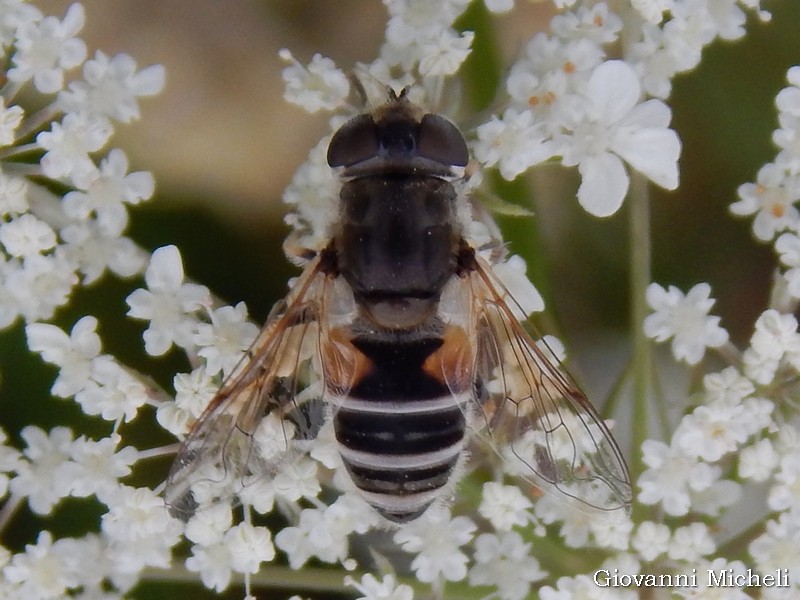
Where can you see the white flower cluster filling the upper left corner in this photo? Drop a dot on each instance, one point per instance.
(50, 244)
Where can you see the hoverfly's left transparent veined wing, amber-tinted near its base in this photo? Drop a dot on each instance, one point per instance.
(245, 431)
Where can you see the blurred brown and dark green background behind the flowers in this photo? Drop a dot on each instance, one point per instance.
(222, 145)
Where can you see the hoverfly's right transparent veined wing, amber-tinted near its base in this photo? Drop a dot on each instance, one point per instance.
(536, 416)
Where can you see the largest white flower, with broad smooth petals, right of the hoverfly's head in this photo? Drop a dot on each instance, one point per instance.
(616, 128)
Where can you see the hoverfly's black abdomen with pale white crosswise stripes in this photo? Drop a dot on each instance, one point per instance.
(400, 430)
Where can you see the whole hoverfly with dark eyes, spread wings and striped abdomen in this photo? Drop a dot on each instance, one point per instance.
(417, 342)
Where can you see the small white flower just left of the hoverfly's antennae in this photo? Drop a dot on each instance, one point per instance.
(320, 86)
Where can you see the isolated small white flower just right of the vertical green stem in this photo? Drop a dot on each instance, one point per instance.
(685, 319)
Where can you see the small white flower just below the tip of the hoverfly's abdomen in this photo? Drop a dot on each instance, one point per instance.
(435, 539)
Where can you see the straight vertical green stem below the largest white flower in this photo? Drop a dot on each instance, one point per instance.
(639, 207)
